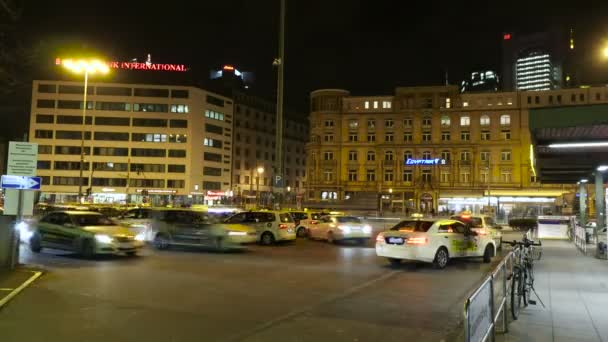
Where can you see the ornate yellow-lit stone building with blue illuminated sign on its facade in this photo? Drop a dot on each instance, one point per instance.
(432, 149)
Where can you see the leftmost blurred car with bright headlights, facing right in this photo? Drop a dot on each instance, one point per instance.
(85, 232)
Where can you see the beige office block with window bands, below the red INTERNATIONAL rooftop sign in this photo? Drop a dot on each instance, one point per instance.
(141, 142)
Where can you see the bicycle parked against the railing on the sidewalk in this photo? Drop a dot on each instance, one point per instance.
(522, 278)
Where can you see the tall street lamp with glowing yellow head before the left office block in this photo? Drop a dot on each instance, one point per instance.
(86, 67)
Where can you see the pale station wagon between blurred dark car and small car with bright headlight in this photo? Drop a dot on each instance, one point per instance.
(271, 226)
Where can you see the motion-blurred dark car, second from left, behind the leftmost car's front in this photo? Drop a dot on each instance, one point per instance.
(196, 229)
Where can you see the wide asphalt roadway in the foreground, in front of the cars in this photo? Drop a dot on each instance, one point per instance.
(307, 291)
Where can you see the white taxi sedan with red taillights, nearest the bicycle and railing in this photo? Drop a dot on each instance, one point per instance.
(434, 241)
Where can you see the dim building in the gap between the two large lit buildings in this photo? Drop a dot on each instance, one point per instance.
(254, 151)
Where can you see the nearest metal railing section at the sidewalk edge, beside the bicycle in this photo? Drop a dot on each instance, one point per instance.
(488, 303)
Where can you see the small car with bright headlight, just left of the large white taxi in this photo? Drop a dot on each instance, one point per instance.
(340, 227)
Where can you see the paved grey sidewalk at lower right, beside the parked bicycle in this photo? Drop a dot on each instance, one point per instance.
(574, 288)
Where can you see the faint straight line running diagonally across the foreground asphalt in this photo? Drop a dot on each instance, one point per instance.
(289, 315)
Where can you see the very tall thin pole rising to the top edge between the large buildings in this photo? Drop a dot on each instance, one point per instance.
(280, 63)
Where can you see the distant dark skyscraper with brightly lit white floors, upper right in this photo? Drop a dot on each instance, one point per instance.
(537, 61)
